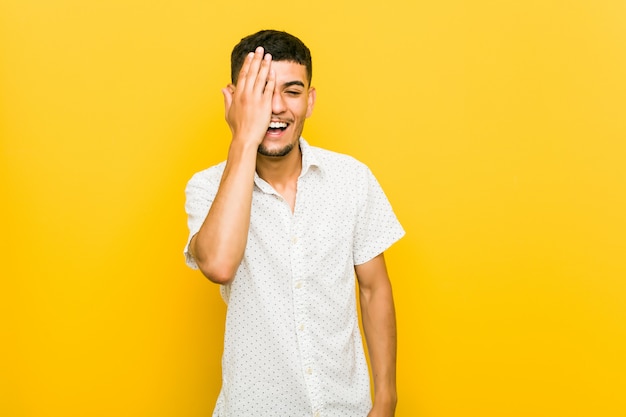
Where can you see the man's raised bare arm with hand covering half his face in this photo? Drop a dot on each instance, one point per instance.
(219, 245)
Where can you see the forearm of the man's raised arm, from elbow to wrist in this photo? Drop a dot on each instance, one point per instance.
(219, 245)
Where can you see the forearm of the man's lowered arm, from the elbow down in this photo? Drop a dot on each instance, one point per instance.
(379, 325)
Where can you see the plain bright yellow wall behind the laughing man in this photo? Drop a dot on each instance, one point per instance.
(496, 128)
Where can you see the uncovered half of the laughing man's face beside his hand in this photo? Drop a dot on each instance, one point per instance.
(292, 103)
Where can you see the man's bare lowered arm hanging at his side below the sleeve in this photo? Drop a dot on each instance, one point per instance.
(379, 326)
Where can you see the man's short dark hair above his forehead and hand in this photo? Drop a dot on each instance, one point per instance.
(281, 45)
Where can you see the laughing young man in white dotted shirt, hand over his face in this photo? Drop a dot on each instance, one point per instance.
(283, 226)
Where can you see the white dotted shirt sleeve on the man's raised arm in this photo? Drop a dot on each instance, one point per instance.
(199, 195)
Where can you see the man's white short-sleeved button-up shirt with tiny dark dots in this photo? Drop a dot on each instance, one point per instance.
(292, 345)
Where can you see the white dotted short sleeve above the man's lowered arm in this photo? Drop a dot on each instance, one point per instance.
(377, 227)
